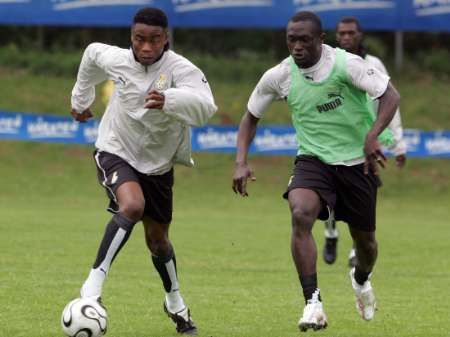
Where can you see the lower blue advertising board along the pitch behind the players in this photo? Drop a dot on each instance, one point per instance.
(269, 140)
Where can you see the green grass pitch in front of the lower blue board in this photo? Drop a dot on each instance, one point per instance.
(233, 254)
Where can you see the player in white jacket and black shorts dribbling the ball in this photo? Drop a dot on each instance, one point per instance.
(145, 130)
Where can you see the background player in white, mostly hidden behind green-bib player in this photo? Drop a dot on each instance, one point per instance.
(349, 36)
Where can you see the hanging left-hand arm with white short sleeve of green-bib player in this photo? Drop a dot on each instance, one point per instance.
(266, 91)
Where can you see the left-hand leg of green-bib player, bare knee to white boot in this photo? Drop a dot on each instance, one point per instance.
(305, 206)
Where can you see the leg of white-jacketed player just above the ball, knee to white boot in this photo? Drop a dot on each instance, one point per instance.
(131, 207)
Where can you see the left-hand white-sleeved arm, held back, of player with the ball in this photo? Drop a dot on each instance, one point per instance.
(91, 72)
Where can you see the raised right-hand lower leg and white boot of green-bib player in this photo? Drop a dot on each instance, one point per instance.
(366, 254)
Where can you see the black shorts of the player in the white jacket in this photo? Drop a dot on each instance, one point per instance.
(113, 171)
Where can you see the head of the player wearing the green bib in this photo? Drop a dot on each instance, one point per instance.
(304, 43)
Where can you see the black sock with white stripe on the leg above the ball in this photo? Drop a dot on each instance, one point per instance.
(117, 221)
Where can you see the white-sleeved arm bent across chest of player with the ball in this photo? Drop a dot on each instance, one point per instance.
(190, 100)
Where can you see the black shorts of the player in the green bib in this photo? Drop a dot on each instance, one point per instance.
(345, 189)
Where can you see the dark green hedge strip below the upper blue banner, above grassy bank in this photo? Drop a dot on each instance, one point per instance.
(245, 65)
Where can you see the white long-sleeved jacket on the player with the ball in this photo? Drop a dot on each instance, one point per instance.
(150, 140)
